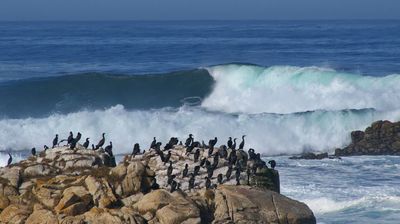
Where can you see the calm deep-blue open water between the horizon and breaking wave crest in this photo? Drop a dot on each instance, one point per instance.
(35, 49)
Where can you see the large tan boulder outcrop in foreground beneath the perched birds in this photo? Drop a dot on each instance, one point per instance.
(82, 186)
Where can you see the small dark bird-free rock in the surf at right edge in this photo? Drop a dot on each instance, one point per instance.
(381, 138)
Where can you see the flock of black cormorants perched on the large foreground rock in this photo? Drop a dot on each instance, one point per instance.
(235, 156)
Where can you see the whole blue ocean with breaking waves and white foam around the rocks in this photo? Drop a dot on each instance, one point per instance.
(290, 86)
